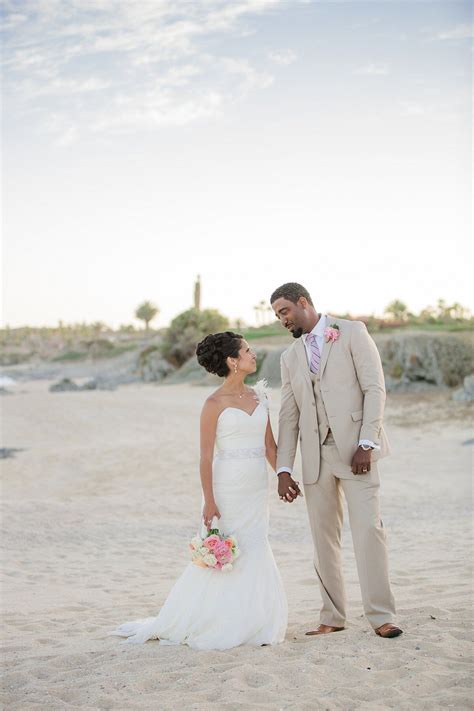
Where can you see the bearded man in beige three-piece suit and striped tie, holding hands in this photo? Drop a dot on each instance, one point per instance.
(332, 400)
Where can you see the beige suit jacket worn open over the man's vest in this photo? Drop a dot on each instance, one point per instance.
(353, 392)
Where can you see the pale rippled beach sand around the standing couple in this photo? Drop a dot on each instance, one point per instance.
(97, 512)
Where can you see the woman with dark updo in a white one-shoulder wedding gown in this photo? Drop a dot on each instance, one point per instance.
(207, 608)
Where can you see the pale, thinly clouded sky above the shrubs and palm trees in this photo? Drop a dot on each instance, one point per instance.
(253, 142)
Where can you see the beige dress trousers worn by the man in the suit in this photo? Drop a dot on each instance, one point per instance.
(324, 503)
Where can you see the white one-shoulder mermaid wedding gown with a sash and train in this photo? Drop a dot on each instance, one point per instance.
(208, 609)
